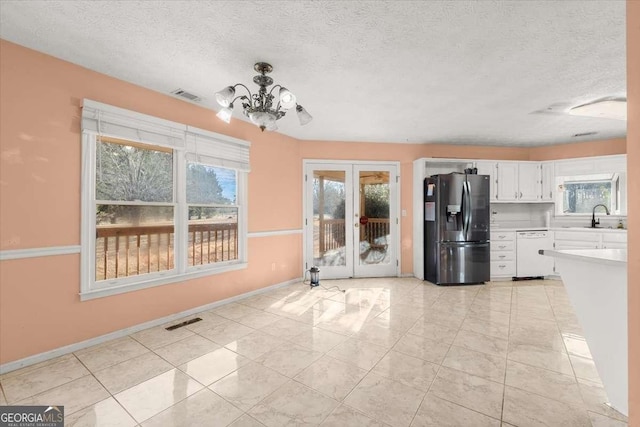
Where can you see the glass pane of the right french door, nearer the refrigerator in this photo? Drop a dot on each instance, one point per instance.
(374, 217)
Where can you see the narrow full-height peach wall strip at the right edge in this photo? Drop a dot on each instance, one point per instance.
(633, 158)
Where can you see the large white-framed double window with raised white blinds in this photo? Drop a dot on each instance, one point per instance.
(161, 201)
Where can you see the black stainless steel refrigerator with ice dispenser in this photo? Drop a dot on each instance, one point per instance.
(456, 231)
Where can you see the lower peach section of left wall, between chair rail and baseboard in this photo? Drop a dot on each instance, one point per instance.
(40, 309)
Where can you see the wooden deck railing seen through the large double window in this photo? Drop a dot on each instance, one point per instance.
(123, 251)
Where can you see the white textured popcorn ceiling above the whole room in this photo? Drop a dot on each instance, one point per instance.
(482, 72)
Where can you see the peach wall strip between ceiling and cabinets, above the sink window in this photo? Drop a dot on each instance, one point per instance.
(579, 149)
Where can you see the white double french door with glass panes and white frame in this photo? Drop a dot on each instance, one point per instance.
(351, 218)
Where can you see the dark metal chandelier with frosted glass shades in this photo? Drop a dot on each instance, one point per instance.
(259, 107)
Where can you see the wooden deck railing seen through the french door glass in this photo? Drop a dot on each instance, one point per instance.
(331, 233)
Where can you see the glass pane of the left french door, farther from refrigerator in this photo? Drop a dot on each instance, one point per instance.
(329, 218)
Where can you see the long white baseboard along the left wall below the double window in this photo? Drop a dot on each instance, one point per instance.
(61, 351)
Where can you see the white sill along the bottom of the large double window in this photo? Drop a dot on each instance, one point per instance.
(131, 287)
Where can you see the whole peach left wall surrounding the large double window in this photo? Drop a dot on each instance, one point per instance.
(40, 203)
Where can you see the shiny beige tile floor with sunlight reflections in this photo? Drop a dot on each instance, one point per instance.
(387, 352)
